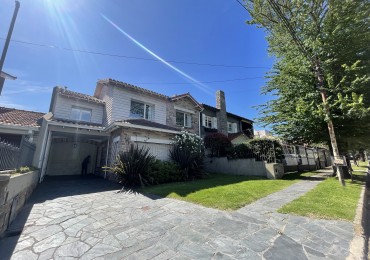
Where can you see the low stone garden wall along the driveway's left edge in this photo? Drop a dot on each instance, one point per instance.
(15, 189)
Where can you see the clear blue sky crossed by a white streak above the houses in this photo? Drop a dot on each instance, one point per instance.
(189, 31)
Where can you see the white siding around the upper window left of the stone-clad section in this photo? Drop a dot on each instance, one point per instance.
(121, 103)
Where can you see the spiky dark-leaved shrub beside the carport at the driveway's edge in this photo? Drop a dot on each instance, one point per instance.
(132, 166)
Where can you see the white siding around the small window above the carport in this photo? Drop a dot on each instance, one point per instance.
(63, 107)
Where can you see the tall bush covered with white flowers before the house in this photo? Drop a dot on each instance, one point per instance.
(187, 151)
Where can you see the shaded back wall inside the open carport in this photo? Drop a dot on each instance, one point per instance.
(65, 159)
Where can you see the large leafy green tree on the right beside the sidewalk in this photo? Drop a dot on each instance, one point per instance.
(321, 74)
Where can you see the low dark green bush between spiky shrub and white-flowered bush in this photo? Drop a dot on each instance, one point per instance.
(164, 172)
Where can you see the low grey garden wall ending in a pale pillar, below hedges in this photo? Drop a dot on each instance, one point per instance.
(247, 167)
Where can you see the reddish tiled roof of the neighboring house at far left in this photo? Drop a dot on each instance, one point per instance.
(12, 116)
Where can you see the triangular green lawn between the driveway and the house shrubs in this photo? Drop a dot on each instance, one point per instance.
(226, 192)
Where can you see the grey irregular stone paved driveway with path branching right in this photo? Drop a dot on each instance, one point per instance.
(88, 219)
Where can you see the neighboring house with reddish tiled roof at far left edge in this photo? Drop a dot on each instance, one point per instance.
(16, 124)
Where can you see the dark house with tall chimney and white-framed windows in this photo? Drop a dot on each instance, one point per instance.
(217, 119)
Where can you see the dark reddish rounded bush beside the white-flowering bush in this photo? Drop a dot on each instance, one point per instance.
(218, 143)
